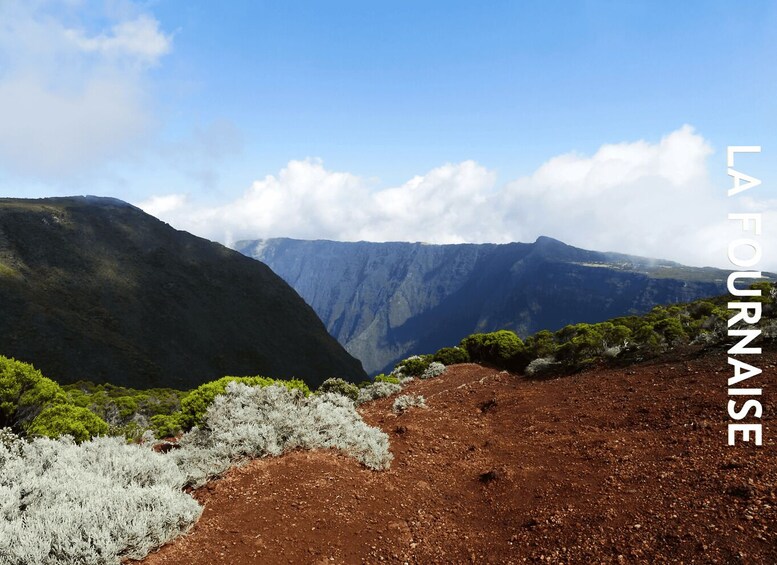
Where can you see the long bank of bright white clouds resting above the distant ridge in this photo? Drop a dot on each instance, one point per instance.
(652, 199)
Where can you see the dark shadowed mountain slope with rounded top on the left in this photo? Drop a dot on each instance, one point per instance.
(93, 288)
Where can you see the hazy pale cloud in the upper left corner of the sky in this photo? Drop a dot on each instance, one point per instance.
(71, 96)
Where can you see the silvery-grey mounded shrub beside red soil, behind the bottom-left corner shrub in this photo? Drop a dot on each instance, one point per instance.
(250, 422)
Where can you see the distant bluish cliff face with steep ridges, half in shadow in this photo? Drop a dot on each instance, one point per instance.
(385, 301)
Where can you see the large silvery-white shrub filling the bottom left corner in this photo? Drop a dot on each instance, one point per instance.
(93, 503)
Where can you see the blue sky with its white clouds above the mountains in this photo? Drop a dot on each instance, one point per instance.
(196, 110)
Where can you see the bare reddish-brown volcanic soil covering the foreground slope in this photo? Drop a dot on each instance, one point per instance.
(608, 466)
